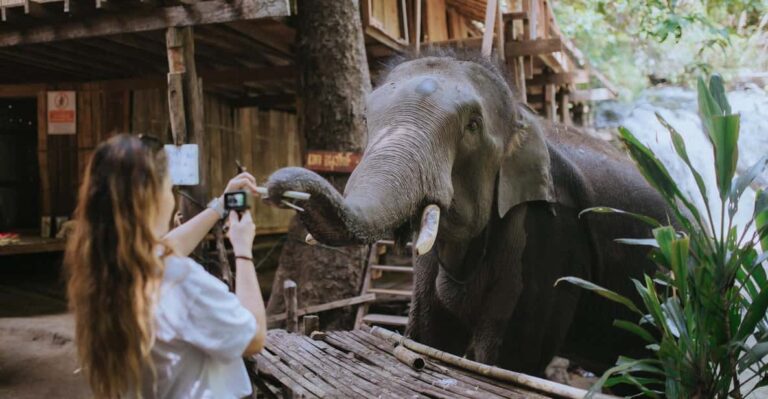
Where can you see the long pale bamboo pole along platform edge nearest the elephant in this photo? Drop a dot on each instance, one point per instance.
(535, 383)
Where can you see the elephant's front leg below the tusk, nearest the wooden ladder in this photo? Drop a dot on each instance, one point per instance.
(429, 321)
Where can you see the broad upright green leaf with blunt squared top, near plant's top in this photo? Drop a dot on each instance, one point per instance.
(725, 137)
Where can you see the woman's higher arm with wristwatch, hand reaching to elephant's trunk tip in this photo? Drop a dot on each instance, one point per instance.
(185, 238)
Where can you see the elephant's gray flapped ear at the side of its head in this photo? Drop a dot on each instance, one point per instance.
(525, 174)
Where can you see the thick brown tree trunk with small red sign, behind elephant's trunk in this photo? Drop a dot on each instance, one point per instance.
(333, 83)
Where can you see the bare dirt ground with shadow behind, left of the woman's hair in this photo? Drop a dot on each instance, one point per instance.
(37, 351)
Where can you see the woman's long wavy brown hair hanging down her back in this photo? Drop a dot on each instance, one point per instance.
(114, 271)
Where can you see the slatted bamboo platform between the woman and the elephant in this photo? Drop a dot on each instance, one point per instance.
(362, 364)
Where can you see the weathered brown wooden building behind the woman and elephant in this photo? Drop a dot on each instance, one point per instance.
(115, 63)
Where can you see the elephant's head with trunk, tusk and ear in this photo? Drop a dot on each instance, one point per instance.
(443, 132)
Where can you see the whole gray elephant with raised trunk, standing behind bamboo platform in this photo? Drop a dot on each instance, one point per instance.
(448, 132)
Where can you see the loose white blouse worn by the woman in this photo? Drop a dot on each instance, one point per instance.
(201, 333)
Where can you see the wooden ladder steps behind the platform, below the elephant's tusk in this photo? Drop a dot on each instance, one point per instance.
(374, 270)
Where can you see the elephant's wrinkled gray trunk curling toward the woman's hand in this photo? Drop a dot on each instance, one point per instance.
(394, 181)
